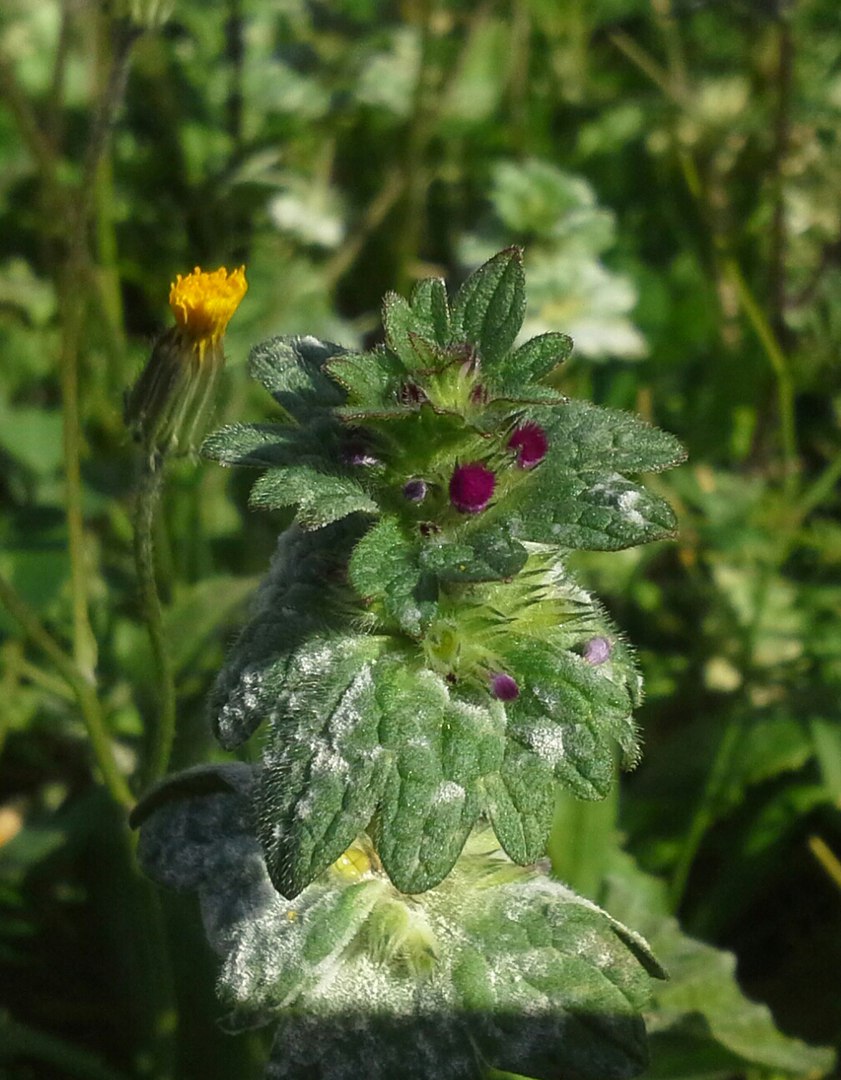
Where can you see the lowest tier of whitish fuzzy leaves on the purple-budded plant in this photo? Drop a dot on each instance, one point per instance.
(357, 976)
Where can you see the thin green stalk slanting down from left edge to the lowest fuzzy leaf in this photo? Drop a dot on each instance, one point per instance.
(86, 696)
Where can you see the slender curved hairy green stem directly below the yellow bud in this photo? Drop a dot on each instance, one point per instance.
(162, 734)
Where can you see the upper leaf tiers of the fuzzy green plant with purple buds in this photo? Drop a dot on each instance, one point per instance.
(418, 650)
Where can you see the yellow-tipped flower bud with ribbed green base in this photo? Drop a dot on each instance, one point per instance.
(170, 404)
